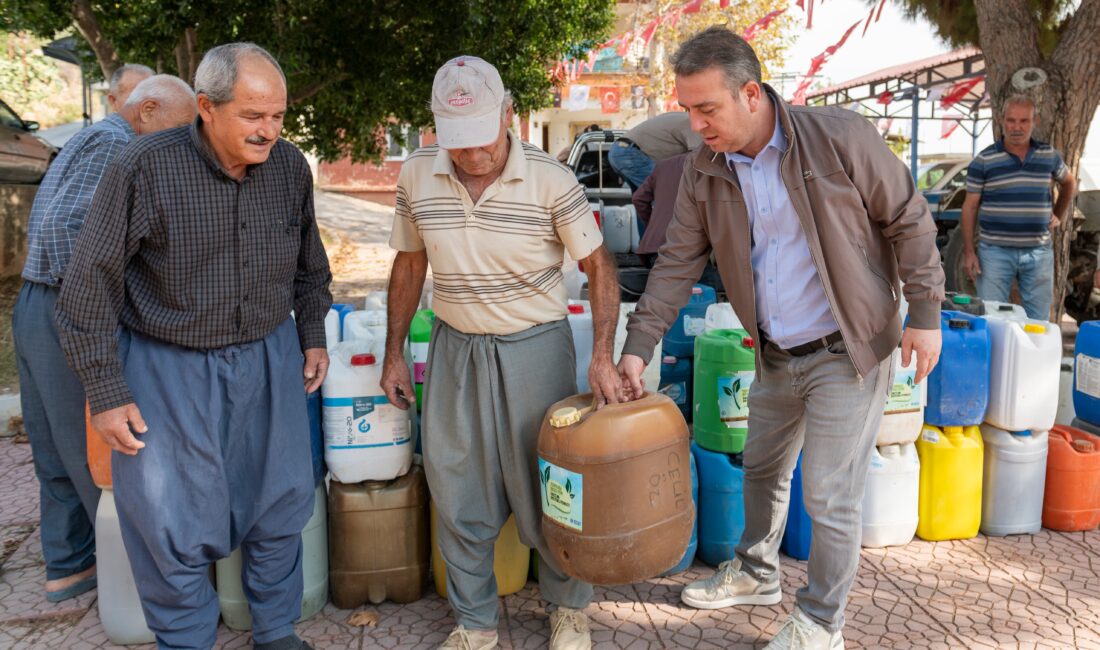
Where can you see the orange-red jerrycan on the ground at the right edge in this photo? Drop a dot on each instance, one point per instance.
(1072, 501)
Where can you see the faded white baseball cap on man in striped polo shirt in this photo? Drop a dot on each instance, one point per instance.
(467, 97)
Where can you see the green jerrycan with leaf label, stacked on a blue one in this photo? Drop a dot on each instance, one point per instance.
(725, 368)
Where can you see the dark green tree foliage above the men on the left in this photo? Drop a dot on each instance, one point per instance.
(351, 68)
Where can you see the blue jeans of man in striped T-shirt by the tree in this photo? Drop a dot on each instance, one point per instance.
(1033, 270)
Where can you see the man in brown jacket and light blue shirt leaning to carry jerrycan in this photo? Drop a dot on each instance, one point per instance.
(812, 221)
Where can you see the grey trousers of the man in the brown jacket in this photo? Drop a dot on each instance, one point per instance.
(817, 405)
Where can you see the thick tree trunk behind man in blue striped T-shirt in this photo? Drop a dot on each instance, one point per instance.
(1066, 103)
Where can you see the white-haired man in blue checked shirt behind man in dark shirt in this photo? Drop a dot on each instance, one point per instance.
(51, 395)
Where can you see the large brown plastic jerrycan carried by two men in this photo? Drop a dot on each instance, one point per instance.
(615, 488)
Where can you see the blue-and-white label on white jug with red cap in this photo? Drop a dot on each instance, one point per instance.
(362, 423)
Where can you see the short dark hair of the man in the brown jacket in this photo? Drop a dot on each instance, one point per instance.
(719, 48)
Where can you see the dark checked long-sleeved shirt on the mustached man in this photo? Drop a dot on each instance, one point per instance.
(178, 250)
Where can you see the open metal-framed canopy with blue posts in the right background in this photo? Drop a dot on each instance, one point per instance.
(910, 86)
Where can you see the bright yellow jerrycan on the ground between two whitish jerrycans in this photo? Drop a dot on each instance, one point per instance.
(951, 482)
